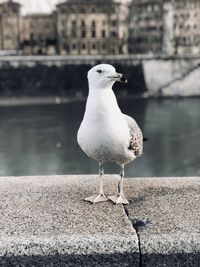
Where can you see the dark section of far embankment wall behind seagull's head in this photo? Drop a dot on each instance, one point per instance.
(43, 80)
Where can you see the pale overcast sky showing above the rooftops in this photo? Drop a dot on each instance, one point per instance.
(35, 6)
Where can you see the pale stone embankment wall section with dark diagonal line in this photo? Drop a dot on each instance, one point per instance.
(172, 77)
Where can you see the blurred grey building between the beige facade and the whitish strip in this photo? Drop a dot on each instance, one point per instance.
(145, 26)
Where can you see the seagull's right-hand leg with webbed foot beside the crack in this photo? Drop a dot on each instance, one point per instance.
(119, 198)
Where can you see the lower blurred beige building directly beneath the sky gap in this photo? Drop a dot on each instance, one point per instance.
(38, 34)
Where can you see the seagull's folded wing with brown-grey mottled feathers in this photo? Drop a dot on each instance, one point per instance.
(136, 140)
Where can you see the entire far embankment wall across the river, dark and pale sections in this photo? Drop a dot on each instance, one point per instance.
(161, 76)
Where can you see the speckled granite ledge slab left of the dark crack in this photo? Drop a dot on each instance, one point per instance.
(45, 222)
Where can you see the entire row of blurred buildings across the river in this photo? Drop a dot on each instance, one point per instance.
(92, 27)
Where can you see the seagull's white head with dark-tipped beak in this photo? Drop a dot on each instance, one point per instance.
(104, 76)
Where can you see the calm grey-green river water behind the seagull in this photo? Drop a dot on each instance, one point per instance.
(41, 140)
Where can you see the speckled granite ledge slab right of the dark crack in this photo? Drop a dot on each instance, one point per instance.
(166, 214)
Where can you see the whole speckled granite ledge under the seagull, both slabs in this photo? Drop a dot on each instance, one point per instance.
(44, 221)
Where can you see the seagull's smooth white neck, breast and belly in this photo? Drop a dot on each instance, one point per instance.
(104, 134)
